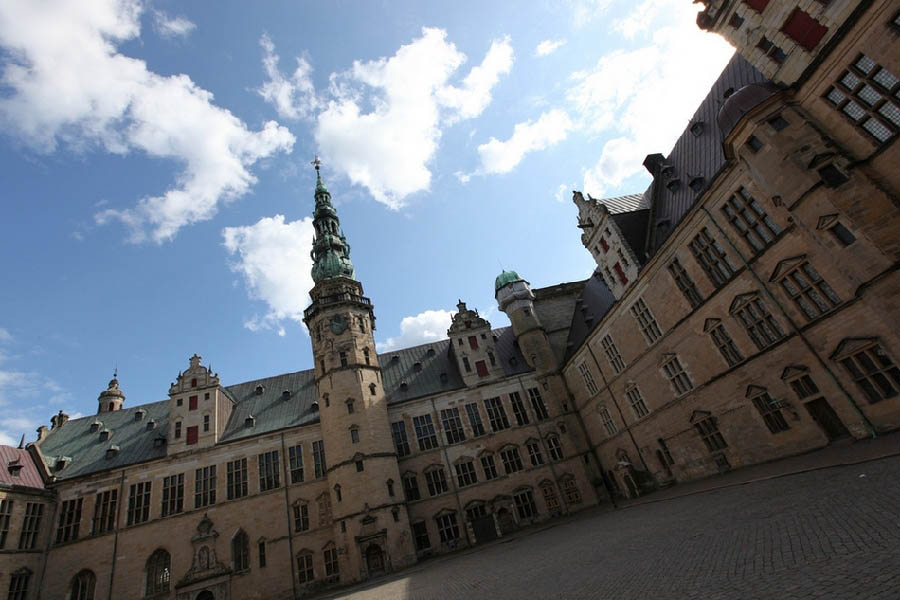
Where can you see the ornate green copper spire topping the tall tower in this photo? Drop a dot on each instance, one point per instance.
(331, 252)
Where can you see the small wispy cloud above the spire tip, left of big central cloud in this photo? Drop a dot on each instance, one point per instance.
(293, 97)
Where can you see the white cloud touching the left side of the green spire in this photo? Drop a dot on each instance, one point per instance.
(273, 258)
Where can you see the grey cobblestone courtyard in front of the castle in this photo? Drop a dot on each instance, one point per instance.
(832, 533)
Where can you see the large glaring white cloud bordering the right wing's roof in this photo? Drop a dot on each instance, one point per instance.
(658, 86)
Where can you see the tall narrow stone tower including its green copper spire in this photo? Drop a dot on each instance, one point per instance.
(370, 519)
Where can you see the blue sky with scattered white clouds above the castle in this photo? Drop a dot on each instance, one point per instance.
(157, 188)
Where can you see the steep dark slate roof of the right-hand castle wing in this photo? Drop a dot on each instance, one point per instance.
(695, 155)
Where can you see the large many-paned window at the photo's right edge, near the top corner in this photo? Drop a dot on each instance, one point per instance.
(867, 94)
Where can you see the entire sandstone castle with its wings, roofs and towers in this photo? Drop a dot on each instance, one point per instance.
(744, 308)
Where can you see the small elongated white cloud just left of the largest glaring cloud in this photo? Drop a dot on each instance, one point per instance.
(502, 157)
